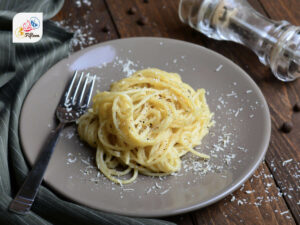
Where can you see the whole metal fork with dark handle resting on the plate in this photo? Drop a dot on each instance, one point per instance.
(71, 106)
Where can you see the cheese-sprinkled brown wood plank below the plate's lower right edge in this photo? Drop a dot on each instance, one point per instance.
(257, 202)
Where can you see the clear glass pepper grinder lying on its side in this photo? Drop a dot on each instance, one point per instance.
(276, 43)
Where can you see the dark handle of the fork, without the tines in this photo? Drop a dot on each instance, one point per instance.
(27, 193)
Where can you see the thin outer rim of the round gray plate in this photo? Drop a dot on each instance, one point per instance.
(186, 209)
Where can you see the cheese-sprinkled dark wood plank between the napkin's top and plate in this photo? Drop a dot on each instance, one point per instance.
(86, 20)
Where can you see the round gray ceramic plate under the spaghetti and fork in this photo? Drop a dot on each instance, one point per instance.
(236, 144)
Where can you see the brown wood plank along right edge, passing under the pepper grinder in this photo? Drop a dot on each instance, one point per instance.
(281, 98)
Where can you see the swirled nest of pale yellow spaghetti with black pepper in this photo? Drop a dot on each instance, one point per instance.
(144, 124)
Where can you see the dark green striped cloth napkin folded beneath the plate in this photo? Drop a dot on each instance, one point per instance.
(20, 66)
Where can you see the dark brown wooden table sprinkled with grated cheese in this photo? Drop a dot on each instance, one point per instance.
(272, 195)
